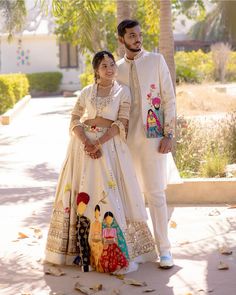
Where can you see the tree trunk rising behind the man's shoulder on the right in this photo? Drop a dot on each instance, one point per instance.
(166, 41)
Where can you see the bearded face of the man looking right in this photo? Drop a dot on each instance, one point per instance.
(133, 39)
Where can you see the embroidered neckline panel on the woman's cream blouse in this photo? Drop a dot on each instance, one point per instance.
(99, 103)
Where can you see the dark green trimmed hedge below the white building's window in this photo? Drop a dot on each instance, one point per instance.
(47, 82)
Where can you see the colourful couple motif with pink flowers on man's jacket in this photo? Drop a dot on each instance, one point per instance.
(154, 115)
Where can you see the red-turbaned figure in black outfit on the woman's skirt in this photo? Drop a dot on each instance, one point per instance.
(83, 226)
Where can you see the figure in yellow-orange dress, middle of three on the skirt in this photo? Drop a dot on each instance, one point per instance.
(95, 240)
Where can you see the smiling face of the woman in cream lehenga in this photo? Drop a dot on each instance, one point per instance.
(107, 69)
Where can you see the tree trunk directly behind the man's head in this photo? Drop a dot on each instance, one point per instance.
(123, 12)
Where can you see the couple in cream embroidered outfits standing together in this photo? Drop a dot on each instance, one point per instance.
(119, 153)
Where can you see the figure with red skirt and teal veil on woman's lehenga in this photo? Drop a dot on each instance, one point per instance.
(112, 258)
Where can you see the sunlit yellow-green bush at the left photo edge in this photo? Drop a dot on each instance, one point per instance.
(13, 87)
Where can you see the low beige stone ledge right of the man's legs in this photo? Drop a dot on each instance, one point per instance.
(203, 191)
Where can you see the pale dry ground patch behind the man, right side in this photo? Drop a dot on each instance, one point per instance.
(203, 99)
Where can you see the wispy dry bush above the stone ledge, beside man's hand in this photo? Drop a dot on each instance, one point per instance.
(205, 147)
